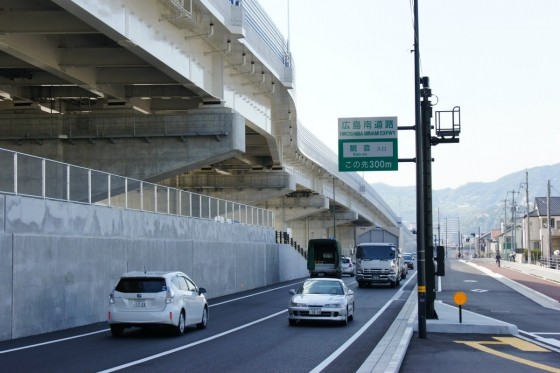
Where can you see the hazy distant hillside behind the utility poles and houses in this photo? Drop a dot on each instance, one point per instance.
(478, 205)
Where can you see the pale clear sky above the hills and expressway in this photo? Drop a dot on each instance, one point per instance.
(499, 60)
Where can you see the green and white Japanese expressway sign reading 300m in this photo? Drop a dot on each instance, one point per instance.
(367, 144)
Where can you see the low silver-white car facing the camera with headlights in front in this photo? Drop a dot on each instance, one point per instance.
(324, 299)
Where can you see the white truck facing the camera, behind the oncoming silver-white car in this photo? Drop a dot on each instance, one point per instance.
(378, 263)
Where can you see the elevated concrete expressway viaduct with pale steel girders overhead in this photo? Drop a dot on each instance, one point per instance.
(193, 94)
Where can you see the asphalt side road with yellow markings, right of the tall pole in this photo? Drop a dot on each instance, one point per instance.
(536, 349)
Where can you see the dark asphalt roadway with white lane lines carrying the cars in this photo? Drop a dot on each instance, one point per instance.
(247, 332)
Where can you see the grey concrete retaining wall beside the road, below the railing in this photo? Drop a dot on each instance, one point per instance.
(59, 261)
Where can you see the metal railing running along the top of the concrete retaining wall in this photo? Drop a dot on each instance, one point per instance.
(27, 175)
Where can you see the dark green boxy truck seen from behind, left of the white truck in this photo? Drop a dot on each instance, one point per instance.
(323, 258)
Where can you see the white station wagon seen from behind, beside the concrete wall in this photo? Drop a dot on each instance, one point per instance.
(156, 298)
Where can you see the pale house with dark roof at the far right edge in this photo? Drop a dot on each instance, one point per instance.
(536, 229)
